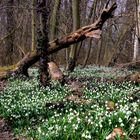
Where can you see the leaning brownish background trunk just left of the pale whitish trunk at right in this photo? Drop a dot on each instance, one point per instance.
(125, 29)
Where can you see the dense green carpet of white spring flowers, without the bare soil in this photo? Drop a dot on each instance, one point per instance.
(23, 103)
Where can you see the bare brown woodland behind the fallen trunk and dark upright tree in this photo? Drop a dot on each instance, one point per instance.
(119, 42)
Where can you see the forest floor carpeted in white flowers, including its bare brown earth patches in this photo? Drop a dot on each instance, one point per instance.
(90, 106)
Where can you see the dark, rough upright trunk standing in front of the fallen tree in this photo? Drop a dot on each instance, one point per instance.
(42, 48)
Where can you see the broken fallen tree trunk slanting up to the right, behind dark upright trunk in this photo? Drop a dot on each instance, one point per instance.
(93, 30)
